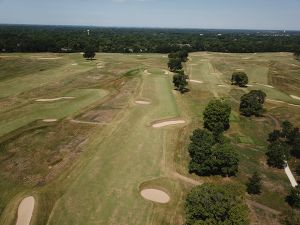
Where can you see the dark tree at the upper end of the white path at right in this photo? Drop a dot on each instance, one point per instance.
(278, 154)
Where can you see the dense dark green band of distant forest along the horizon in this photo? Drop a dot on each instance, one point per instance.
(27, 38)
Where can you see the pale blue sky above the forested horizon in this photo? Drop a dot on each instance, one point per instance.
(218, 14)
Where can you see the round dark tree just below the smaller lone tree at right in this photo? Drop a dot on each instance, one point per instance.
(252, 103)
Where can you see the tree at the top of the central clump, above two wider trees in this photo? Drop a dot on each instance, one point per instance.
(216, 116)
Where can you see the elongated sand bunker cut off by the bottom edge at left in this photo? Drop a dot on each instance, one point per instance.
(25, 211)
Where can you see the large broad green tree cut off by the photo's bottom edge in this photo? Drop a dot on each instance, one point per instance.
(212, 204)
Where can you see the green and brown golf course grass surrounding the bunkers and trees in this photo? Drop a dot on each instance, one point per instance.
(90, 165)
